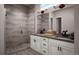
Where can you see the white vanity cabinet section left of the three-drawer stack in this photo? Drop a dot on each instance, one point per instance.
(35, 43)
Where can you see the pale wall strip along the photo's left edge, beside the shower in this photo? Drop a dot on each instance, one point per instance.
(2, 22)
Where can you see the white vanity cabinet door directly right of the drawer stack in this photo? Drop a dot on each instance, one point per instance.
(53, 47)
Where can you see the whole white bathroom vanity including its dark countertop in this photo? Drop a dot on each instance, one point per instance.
(51, 45)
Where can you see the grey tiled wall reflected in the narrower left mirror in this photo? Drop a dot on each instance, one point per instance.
(43, 22)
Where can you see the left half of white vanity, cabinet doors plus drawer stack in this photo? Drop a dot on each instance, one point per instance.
(39, 44)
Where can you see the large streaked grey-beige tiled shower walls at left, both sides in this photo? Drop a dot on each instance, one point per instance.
(19, 24)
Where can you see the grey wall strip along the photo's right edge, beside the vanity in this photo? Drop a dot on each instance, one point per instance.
(77, 29)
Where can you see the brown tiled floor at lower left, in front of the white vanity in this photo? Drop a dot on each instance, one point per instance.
(23, 49)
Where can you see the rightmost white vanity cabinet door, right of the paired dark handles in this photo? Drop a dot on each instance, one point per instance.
(66, 48)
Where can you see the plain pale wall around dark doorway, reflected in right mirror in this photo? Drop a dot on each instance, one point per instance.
(67, 16)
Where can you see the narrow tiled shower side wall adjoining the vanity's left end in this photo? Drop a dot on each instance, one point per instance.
(31, 22)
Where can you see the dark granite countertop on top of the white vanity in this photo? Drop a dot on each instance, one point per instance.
(56, 38)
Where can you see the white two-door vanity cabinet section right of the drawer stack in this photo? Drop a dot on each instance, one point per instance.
(60, 47)
